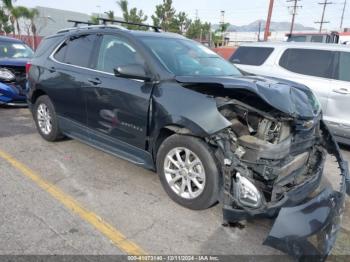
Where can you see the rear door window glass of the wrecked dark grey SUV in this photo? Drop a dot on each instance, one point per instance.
(77, 51)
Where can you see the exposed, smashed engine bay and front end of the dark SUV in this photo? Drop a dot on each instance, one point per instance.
(269, 153)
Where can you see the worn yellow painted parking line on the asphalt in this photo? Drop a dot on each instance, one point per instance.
(106, 229)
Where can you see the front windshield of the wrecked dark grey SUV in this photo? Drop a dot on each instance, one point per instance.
(184, 57)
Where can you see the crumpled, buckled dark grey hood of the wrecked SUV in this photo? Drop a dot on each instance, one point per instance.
(286, 96)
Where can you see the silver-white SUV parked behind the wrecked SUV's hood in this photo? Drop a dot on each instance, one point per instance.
(325, 68)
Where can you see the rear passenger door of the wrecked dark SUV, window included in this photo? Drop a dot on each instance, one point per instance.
(70, 68)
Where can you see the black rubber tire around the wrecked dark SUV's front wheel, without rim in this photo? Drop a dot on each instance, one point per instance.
(210, 193)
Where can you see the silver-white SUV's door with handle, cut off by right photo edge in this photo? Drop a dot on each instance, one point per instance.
(338, 109)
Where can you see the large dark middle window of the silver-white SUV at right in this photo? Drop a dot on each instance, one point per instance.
(308, 62)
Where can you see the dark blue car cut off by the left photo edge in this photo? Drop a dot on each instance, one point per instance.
(14, 55)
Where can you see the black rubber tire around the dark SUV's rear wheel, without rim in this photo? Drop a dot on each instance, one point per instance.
(55, 133)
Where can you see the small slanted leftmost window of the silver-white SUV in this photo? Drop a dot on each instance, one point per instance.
(251, 55)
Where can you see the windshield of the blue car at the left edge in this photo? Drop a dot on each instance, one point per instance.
(15, 50)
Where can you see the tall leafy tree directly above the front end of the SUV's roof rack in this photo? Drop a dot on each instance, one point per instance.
(164, 16)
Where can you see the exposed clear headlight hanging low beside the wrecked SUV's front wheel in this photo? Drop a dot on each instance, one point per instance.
(246, 192)
